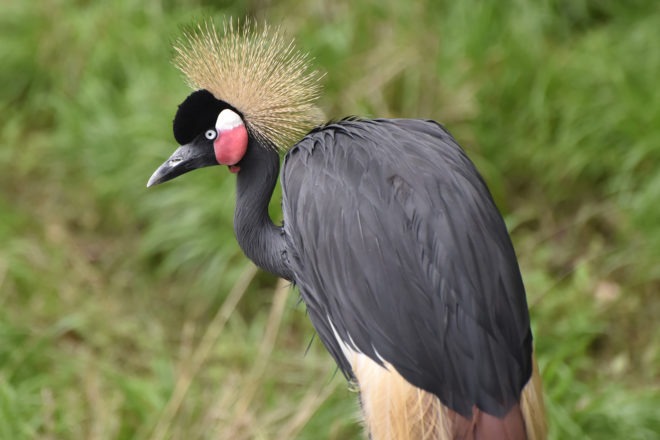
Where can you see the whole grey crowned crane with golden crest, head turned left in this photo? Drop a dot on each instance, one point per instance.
(391, 235)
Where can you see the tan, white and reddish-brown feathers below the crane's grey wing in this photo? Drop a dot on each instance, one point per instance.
(396, 410)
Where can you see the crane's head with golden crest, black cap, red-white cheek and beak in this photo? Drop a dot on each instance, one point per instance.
(252, 90)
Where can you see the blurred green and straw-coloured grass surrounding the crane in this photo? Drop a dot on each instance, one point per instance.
(128, 313)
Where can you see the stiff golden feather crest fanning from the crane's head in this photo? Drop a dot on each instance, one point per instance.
(258, 72)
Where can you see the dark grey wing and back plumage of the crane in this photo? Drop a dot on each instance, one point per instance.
(397, 246)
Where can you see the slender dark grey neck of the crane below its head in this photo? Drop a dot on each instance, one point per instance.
(262, 241)
